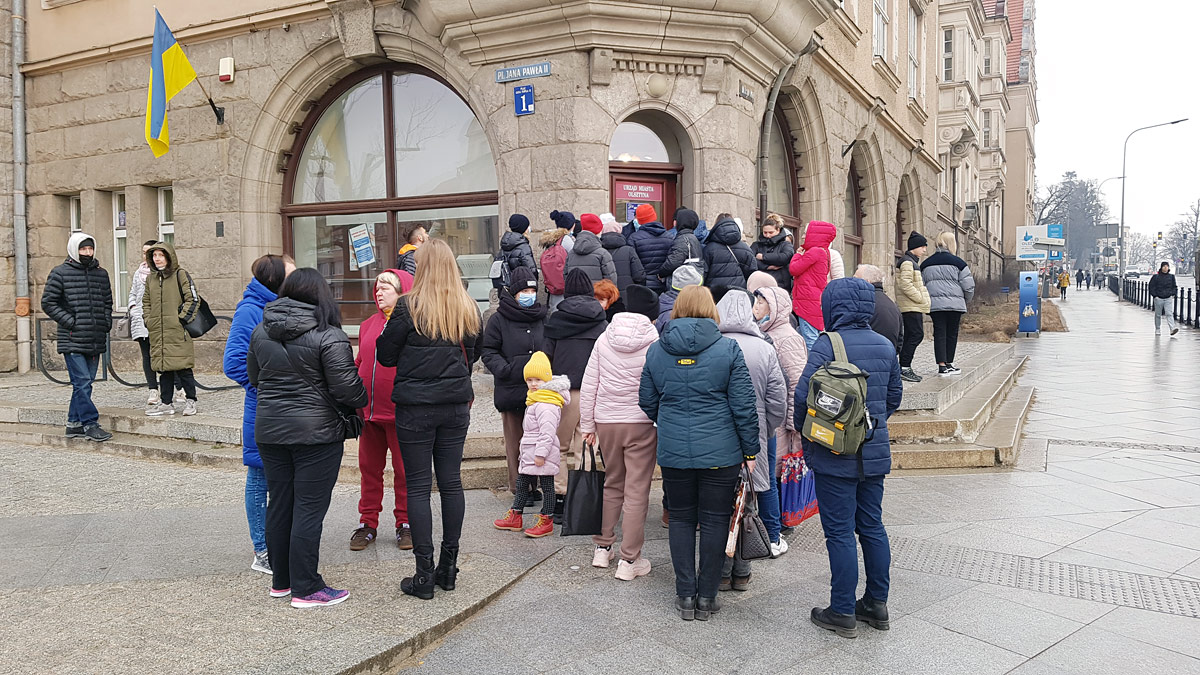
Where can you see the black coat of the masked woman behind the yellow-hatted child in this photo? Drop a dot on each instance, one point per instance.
(513, 336)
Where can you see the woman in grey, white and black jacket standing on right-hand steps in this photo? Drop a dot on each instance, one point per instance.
(951, 289)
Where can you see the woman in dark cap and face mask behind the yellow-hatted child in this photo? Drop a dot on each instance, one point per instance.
(514, 333)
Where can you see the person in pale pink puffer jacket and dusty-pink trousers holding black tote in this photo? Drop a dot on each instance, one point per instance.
(609, 411)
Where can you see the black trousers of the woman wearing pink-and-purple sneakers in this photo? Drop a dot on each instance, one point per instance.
(301, 482)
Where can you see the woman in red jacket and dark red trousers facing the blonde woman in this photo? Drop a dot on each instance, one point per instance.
(380, 432)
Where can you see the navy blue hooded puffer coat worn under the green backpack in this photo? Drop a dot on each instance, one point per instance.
(848, 306)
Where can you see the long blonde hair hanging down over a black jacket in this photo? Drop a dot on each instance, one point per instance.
(441, 307)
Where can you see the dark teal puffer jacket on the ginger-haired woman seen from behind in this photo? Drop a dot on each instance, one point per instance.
(697, 387)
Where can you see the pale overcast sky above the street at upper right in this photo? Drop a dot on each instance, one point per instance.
(1106, 68)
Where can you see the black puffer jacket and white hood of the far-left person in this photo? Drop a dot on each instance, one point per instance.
(80, 300)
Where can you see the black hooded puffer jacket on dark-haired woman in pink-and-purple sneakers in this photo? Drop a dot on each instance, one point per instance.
(290, 410)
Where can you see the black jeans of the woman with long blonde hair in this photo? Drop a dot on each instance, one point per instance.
(431, 440)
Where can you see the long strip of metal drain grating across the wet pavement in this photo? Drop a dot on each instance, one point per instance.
(1111, 587)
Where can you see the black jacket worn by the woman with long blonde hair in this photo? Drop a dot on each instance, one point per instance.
(428, 372)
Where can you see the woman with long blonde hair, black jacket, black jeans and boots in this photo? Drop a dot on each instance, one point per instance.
(433, 341)
